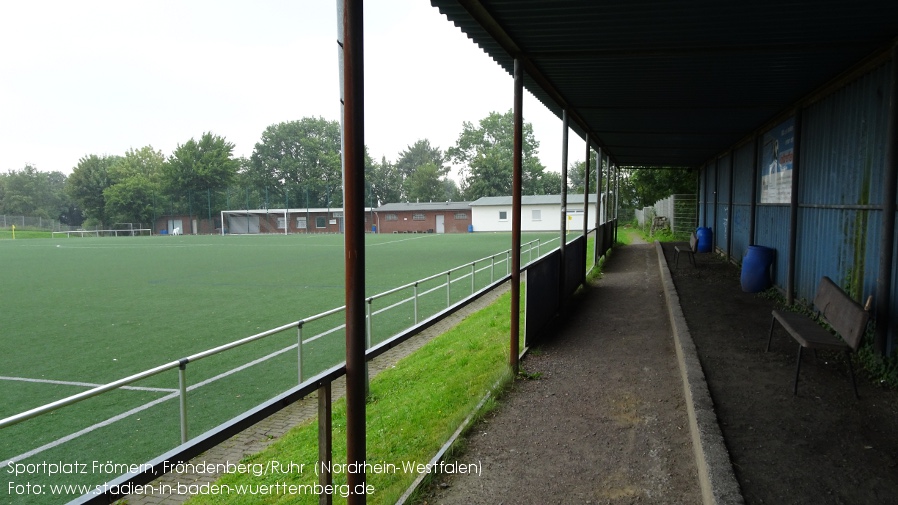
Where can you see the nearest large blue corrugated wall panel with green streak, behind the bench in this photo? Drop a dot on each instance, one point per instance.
(842, 169)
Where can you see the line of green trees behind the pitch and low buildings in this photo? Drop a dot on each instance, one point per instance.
(294, 164)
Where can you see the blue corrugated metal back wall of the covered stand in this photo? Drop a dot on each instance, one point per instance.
(842, 166)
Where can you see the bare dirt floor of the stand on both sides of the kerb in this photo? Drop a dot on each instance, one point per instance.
(822, 446)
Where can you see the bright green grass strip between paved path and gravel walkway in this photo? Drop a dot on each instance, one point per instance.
(413, 409)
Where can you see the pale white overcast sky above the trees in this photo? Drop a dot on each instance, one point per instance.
(102, 76)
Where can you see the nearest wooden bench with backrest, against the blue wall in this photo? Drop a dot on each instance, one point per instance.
(840, 312)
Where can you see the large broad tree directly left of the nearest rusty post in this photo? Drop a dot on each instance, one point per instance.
(302, 157)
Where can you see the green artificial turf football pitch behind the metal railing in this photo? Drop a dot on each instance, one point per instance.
(98, 309)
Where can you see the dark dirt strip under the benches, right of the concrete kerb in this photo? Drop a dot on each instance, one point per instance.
(821, 446)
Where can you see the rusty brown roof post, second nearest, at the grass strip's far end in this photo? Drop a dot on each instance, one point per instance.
(517, 164)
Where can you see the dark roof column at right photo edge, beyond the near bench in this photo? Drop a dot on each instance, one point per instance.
(887, 241)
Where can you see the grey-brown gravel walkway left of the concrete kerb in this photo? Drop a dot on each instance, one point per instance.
(604, 422)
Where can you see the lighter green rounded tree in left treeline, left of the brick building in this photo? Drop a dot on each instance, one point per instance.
(131, 198)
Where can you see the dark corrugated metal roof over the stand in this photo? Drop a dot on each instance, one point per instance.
(659, 83)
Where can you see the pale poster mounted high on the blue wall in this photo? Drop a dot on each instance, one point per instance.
(776, 163)
